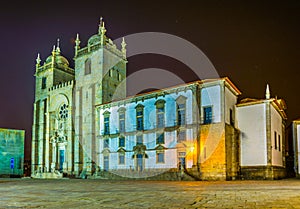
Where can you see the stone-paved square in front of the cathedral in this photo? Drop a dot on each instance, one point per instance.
(87, 193)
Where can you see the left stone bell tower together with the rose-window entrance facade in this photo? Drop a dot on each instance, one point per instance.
(52, 127)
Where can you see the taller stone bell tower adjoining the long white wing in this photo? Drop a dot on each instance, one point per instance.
(100, 72)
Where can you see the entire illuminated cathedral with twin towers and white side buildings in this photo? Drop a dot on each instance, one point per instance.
(86, 127)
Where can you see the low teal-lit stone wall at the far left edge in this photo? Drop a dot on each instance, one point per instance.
(11, 149)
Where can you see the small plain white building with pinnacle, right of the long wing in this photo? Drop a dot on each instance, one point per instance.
(262, 125)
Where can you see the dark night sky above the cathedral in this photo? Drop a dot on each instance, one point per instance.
(251, 42)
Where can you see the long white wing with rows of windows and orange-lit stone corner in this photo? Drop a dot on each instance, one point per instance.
(159, 131)
